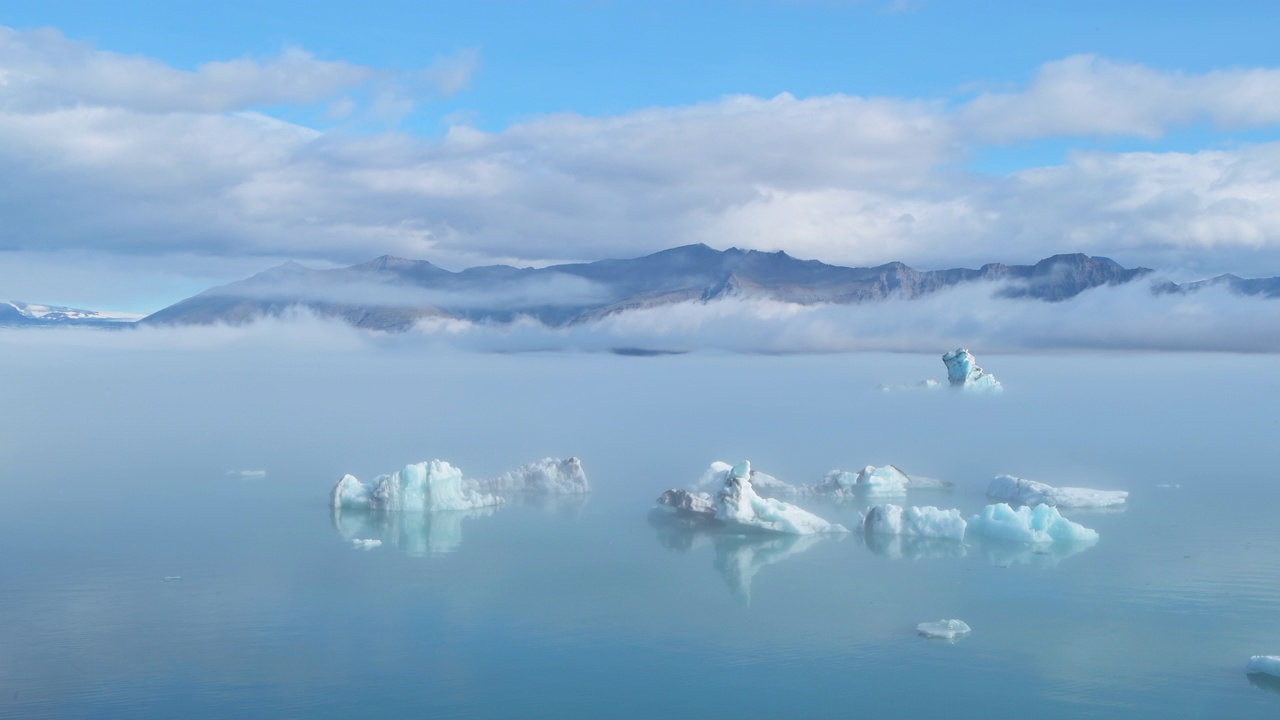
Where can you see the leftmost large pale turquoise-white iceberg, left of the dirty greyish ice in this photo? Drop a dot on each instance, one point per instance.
(422, 487)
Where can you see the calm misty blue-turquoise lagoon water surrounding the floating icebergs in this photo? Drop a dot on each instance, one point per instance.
(115, 467)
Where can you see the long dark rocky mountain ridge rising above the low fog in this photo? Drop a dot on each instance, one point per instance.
(394, 294)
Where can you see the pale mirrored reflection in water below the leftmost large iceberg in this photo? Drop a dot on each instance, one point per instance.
(415, 534)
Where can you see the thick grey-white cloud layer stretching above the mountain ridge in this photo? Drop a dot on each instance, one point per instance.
(106, 153)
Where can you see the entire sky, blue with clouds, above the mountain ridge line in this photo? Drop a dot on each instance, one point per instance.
(938, 134)
